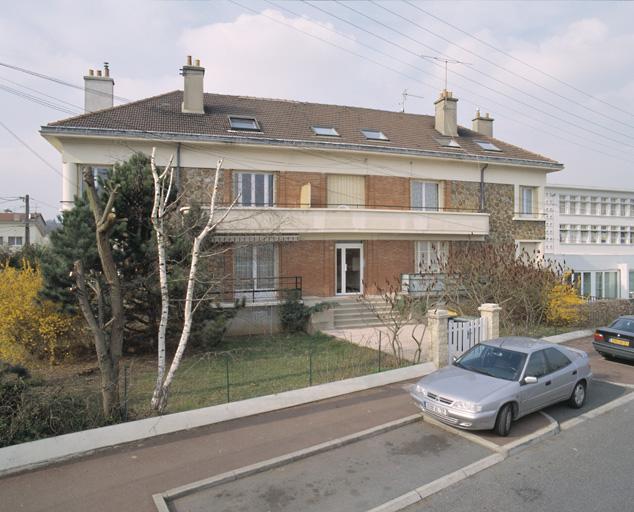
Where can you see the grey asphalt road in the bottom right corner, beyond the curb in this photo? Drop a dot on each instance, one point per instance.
(585, 469)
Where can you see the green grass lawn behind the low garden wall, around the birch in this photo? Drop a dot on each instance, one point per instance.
(213, 378)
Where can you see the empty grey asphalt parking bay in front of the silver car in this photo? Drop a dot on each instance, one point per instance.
(355, 477)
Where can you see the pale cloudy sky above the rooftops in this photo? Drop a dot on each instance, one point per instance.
(557, 77)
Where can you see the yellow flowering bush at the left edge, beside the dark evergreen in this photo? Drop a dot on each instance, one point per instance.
(29, 326)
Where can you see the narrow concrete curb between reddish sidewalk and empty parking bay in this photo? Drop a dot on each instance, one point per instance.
(160, 500)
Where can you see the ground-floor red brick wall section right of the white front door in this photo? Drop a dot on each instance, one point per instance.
(386, 260)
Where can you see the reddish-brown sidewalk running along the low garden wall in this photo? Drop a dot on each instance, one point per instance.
(125, 478)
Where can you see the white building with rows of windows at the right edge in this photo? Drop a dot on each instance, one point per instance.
(591, 231)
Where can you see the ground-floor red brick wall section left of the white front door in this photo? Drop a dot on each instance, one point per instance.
(314, 261)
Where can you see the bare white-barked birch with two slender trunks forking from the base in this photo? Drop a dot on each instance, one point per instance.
(162, 189)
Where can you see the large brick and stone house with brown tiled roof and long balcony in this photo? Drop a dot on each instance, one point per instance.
(331, 199)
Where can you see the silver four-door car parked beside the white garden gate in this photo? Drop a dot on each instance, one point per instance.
(501, 380)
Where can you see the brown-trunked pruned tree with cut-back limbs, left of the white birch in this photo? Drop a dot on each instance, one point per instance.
(107, 333)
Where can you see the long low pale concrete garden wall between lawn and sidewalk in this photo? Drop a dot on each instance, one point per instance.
(26, 456)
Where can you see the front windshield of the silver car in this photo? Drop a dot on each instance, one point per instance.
(493, 361)
